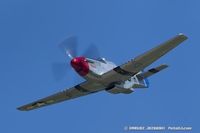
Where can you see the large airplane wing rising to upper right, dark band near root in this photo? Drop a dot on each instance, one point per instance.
(132, 67)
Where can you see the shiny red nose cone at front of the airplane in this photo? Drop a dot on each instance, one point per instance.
(80, 65)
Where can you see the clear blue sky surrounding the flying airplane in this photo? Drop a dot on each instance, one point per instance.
(122, 29)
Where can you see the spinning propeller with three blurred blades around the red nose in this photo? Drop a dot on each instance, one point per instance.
(69, 47)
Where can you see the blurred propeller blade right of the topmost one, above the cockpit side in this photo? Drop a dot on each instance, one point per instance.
(92, 52)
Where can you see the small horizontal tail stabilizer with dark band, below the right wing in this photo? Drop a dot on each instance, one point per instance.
(150, 72)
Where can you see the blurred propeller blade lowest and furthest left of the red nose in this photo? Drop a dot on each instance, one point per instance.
(59, 70)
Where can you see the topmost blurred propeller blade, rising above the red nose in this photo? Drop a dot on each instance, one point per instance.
(69, 46)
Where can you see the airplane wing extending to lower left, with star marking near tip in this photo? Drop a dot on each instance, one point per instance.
(82, 89)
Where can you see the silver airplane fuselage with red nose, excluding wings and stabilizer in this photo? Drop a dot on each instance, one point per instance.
(92, 69)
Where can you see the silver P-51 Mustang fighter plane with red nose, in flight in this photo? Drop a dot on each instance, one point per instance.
(101, 74)
